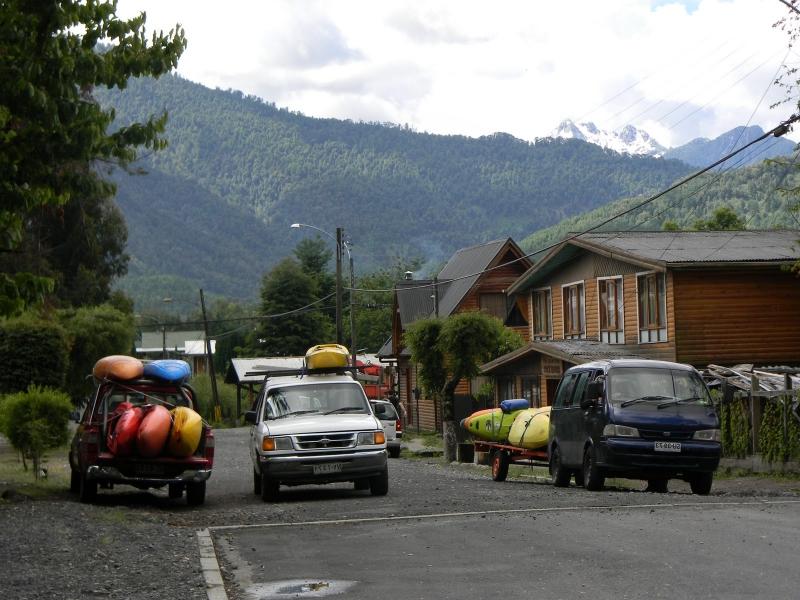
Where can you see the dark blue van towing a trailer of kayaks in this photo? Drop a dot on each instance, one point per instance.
(635, 419)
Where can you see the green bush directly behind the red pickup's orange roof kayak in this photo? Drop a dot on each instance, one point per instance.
(93, 332)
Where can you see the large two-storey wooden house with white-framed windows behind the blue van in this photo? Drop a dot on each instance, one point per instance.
(697, 297)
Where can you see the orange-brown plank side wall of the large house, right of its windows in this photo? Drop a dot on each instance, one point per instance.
(733, 316)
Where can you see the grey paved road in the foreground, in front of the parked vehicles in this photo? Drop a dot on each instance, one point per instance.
(451, 532)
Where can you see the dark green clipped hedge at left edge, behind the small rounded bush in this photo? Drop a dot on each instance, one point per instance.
(33, 351)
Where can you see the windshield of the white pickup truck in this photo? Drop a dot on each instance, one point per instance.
(315, 398)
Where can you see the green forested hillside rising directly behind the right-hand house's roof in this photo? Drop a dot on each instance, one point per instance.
(758, 194)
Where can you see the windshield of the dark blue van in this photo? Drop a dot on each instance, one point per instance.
(658, 387)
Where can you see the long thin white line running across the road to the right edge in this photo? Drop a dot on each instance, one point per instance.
(216, 528)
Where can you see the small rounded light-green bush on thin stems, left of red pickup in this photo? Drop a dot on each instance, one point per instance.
(35, 421)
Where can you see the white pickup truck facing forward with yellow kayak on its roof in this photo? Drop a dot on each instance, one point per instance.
(315, 427)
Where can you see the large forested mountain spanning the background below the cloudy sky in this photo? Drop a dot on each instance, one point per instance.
(215, 207)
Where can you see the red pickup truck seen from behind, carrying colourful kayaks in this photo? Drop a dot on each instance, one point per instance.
(93, 464)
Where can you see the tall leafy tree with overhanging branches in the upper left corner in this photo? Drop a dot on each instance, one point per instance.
(52, 132)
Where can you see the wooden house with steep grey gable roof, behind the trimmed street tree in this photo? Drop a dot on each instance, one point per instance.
(475, 278)
